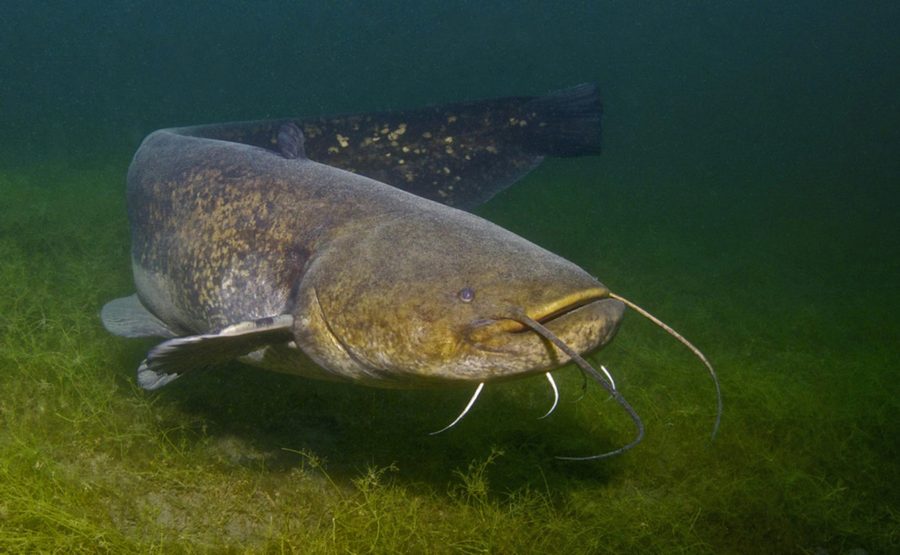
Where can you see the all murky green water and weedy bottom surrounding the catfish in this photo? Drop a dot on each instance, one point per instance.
(747, 195)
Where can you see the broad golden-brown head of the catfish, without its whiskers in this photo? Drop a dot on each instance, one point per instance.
(439, 296)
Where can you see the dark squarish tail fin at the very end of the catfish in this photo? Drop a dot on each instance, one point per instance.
(564, 123)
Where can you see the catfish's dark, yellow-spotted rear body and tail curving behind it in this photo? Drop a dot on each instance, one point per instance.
(457, 154)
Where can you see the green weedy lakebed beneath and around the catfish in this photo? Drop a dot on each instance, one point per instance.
(238, 460)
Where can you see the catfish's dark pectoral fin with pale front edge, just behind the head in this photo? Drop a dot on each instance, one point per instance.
(168, 360)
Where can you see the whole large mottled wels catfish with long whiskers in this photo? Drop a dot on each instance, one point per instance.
(250, 242)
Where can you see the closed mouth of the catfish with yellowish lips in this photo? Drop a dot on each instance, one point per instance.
(548, 313)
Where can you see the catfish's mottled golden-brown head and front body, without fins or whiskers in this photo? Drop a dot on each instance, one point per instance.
(225, 232)
